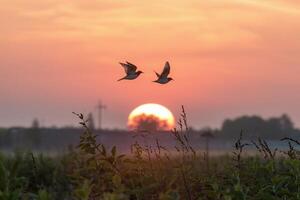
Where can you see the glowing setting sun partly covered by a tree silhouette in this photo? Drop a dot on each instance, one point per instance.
(151, 117)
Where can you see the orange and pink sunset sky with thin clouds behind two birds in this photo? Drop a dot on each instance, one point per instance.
(228, 58)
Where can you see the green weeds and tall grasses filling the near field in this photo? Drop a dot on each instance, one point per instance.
(152, 172)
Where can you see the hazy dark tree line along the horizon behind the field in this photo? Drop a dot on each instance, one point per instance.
(252, 127)
